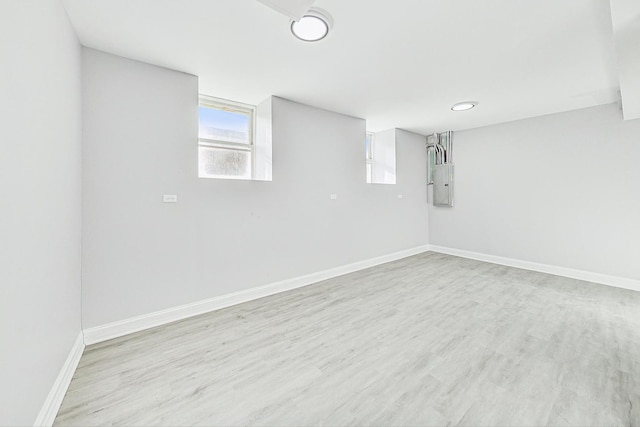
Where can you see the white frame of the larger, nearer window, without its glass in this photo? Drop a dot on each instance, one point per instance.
(234, 107)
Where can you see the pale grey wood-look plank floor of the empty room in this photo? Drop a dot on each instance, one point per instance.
(427, 340)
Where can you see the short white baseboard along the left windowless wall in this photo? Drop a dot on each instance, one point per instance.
(54, 399)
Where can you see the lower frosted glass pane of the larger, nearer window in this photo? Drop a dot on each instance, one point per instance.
(224, 163)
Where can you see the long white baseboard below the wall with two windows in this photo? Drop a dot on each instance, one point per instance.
(127, 326)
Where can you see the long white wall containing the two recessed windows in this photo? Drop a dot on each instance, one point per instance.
(140, 142)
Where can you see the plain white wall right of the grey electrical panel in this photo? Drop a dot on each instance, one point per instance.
(562, 189)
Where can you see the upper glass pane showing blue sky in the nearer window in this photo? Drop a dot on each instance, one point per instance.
(221, 125)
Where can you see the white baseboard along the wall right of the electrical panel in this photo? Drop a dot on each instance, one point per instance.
(587, 276)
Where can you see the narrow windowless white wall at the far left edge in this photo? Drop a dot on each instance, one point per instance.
(39, 203)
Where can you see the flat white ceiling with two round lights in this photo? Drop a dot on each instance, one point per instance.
(399, 63)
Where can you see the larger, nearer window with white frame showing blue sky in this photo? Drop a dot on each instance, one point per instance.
(226, 139)
